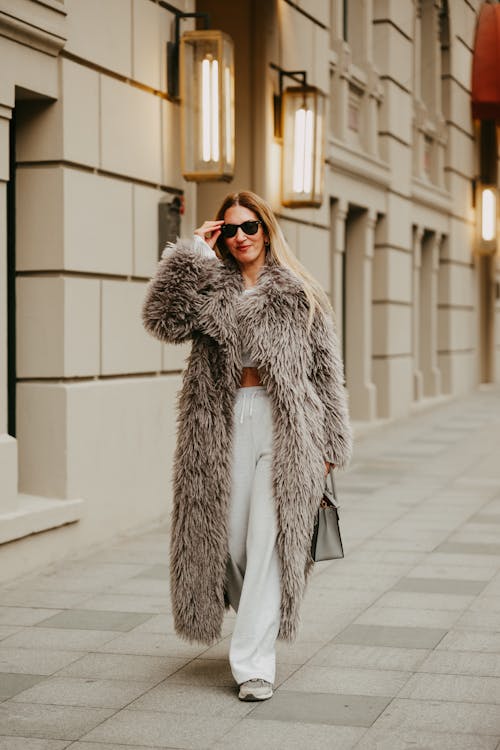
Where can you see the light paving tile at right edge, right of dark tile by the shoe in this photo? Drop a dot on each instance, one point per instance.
(440, 716)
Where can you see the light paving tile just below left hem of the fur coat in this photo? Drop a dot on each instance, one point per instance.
(154, 644)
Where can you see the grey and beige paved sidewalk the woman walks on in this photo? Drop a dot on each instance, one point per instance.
(399, 646)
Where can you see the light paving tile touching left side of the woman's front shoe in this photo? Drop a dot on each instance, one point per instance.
(192, 699)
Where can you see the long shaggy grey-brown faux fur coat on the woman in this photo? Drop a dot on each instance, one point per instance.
(199, 298)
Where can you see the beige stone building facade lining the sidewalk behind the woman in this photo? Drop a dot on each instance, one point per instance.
(90, 178)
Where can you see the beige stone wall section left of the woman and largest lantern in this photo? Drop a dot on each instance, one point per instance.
(97, 148)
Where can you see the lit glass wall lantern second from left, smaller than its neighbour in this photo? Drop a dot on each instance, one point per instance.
(299, 120)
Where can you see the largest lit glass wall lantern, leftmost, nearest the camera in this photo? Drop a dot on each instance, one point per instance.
(200, 68)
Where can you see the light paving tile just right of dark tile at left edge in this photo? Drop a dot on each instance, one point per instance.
(73, 691)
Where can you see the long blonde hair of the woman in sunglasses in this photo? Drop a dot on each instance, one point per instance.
(278, 251)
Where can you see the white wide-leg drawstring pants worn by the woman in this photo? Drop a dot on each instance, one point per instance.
(253, 574)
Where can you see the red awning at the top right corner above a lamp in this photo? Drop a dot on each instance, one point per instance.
(486, 65)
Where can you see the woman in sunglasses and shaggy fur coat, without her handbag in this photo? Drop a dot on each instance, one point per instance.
(262, 417)
